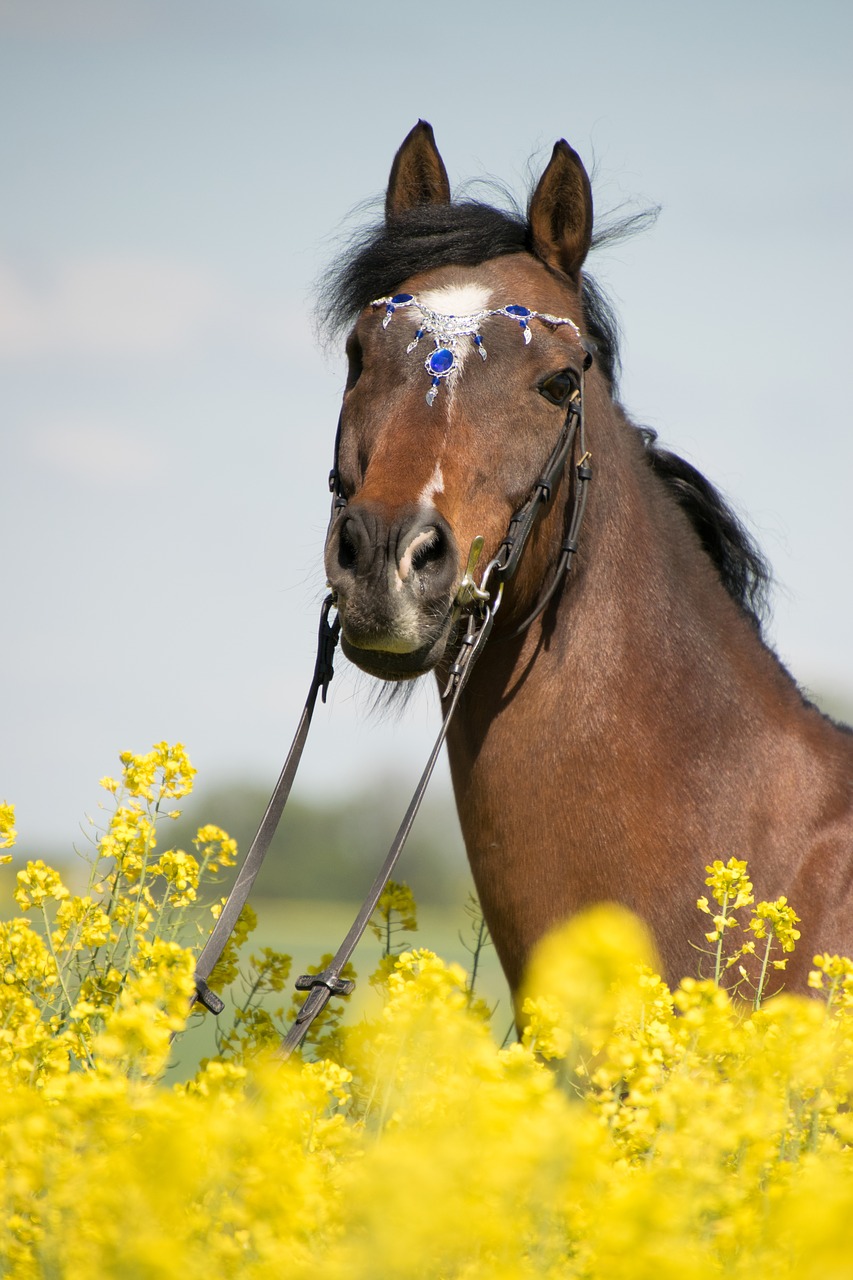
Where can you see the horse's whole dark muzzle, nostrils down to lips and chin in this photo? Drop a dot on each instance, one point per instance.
(395, 582)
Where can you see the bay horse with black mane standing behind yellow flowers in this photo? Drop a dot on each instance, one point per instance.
(638, 728)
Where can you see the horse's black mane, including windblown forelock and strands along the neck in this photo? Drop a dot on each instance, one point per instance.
(469, 234)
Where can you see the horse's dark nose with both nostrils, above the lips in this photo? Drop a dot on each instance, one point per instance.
(412, 555)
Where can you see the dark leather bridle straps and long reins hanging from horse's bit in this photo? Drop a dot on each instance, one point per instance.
(476, 609)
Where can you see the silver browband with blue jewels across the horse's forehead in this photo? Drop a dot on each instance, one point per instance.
(446, 331)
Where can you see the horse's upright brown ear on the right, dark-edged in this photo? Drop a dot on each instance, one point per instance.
(562, 212)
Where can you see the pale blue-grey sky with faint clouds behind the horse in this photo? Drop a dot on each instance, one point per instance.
(176, 176)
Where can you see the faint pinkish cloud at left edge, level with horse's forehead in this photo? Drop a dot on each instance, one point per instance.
(107, 307)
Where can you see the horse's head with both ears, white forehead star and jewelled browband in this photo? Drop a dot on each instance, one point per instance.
(462, 365)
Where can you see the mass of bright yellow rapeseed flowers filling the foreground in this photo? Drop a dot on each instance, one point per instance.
(632, 1131)
